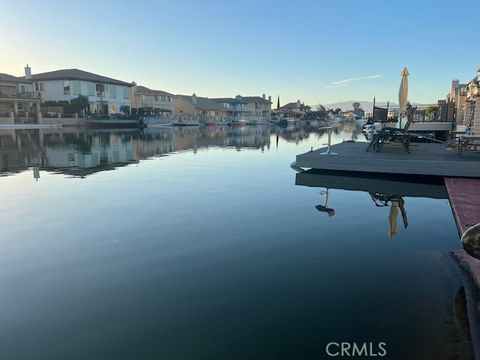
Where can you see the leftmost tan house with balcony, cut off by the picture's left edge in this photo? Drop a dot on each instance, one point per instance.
(18, 100)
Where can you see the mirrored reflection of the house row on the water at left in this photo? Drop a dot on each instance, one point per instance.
(80, 152)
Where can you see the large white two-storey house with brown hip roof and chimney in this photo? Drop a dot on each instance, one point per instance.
(105, 95)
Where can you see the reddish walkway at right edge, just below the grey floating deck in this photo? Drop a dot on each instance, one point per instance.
(464, 194)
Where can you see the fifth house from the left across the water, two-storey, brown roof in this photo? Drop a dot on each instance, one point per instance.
(254, 108)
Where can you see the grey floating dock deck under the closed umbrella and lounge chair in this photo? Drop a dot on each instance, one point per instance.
(424, 159)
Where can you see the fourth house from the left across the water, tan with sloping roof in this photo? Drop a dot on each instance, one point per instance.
(197, 106)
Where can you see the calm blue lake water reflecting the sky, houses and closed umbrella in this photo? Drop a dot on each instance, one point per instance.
(204, 244)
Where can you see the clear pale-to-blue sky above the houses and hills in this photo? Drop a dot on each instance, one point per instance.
(316, 51)
